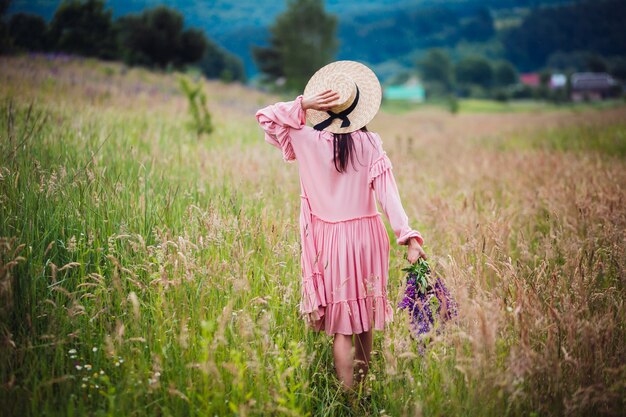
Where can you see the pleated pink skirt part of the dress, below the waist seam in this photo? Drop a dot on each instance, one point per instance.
(353, 257)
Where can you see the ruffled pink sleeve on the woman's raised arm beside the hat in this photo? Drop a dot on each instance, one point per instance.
(277, 120)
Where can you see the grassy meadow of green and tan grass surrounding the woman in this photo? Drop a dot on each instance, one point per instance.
(147, 271)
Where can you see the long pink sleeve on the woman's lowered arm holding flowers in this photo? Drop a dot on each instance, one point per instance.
(383, 182)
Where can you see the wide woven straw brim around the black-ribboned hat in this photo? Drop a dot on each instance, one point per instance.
(370, 94)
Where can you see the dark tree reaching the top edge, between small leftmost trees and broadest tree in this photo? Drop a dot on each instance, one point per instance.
(83, 28)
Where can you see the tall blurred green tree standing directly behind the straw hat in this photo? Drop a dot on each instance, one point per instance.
(302, 40)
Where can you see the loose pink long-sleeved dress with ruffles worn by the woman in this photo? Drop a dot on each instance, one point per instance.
(345, 246)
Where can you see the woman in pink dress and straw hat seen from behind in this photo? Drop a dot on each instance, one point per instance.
(345, 246)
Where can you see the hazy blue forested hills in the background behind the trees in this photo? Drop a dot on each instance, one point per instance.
(392, 35)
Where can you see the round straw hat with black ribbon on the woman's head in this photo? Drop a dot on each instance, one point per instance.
(359, 96)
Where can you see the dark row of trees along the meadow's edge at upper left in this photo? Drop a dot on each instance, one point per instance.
(155, 37)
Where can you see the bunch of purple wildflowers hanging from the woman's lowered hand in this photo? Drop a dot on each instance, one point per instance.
(427, 300)
